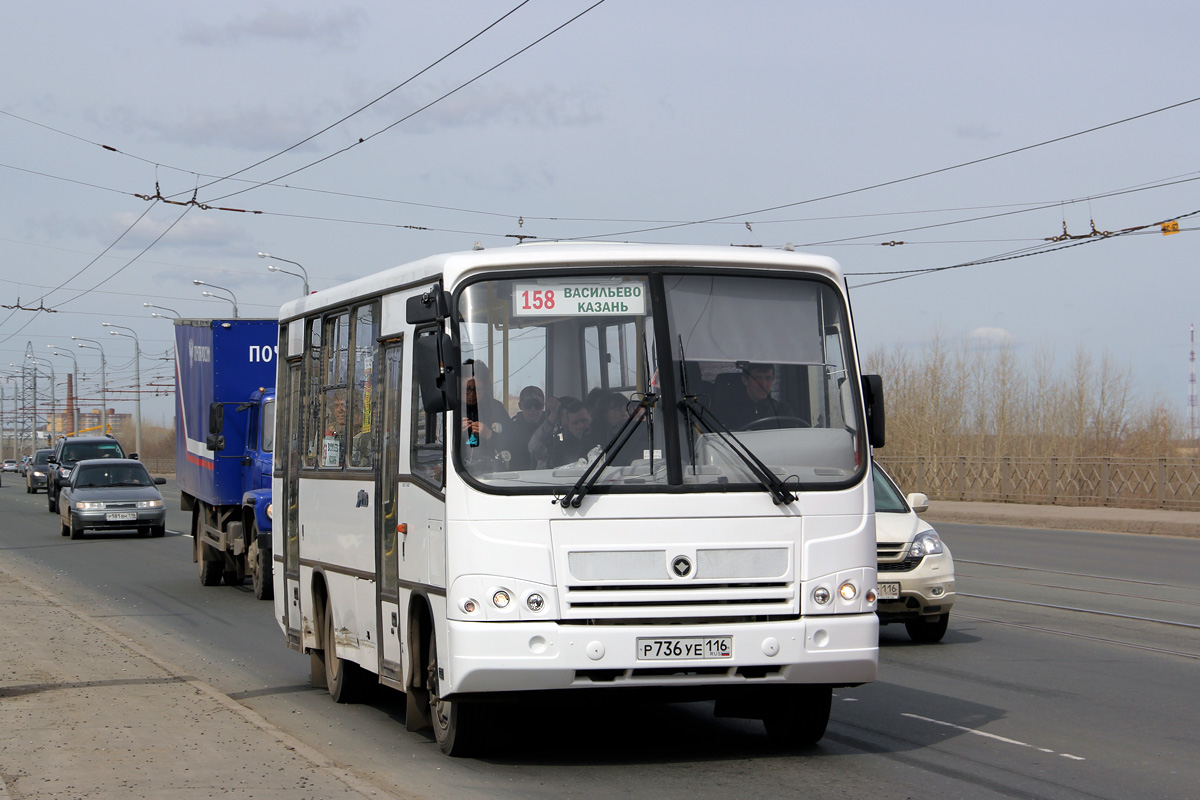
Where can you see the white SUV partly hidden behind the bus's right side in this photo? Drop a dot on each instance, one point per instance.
(916, 572)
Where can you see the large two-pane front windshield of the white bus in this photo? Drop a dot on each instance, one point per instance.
(641, 381)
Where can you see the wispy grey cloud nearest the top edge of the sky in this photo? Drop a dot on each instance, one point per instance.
(338, 29)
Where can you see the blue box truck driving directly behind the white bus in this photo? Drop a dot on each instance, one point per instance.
(225, 441)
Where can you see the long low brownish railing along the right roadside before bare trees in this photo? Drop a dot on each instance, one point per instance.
(1171, 484)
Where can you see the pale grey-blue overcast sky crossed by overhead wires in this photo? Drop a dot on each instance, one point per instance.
(634, 118)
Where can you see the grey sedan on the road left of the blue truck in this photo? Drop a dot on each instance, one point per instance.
(112, 495)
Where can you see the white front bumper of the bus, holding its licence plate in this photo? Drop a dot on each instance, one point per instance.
(841, 649)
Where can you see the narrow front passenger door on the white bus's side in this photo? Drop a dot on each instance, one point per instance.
(388, 520)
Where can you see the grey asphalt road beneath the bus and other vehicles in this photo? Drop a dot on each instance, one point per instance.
(1070, 671)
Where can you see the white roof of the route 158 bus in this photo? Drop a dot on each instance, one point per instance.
(453, 268)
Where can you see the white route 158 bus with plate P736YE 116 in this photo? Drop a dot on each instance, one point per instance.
(569, 468)
